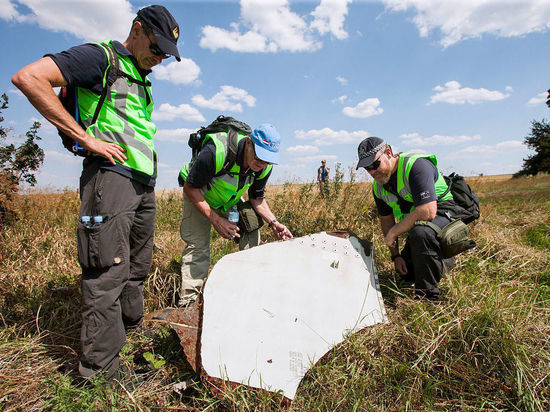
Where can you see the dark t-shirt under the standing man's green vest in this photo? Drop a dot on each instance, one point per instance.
(84, 66)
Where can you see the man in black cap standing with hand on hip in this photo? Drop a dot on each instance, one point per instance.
(119, 171)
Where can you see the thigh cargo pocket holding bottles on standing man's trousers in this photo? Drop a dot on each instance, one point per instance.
(100, 247)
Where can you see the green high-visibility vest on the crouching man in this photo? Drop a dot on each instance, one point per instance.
(404, 165)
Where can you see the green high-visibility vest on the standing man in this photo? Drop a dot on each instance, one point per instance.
(124, 118)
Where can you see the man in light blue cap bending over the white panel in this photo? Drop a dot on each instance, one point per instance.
(208, 196)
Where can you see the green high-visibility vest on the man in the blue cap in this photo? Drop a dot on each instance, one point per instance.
(225, 190)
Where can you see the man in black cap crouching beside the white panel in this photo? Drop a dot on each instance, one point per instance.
(406, 190)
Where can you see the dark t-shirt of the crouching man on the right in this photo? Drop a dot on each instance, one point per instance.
(422, 178)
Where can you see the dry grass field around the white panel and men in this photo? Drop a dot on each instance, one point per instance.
(486, 346)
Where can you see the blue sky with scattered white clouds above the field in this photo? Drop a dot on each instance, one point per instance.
(461, 79)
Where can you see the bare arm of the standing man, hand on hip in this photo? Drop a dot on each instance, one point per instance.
(36, 81)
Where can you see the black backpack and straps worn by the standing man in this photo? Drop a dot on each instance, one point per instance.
(68, 95)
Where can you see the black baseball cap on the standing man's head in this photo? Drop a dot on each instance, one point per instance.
(164, 27)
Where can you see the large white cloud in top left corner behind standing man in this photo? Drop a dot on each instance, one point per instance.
(90, 20)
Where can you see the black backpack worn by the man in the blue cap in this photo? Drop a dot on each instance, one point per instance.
(222, 124)
